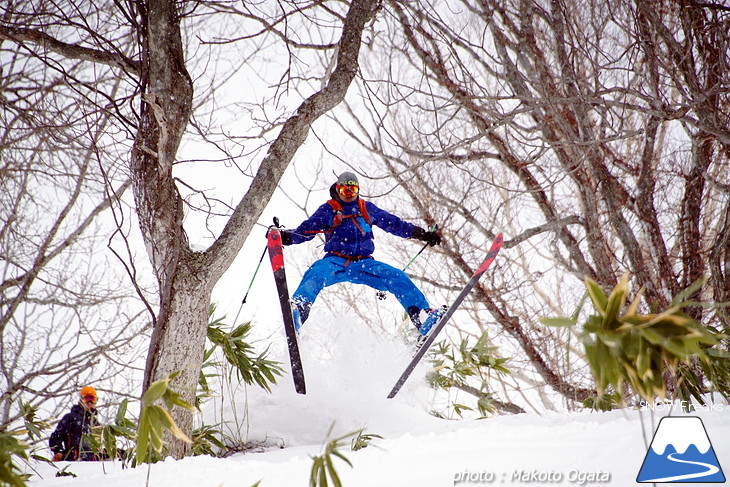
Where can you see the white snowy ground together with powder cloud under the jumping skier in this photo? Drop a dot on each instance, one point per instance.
(349, 372)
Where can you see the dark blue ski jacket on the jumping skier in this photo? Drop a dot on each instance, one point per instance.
(353, 237)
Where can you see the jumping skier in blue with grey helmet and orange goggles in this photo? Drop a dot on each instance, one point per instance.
(346, 221)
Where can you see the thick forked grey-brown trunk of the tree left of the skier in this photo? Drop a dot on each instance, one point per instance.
(186, 278)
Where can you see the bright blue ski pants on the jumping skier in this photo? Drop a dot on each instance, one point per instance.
(333, 269)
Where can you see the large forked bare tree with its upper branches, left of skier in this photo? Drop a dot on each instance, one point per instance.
(144, 43)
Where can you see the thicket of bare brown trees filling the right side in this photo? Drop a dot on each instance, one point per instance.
(595, 134)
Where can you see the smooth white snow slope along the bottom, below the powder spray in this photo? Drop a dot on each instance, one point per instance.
(555, 449)
